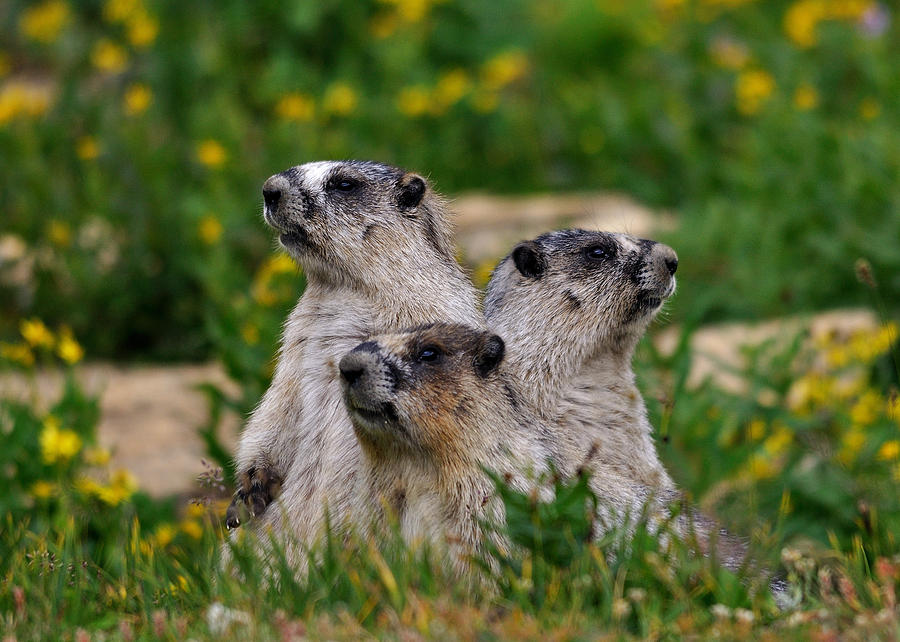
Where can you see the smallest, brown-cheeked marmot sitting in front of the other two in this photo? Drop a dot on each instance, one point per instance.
(432, 407)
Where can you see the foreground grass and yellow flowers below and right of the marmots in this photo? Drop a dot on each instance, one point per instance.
(787, 468)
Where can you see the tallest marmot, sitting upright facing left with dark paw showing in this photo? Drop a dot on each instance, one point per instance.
(375, 244)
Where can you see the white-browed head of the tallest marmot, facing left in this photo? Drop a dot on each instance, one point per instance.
(333, 216)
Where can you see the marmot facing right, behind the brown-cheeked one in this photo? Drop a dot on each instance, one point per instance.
(572, 306)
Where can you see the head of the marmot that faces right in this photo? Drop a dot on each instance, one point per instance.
(593, 287)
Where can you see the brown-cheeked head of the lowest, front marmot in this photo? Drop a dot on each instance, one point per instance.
(418, 390)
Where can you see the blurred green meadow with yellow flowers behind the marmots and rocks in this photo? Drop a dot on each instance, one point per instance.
(134, 137)
